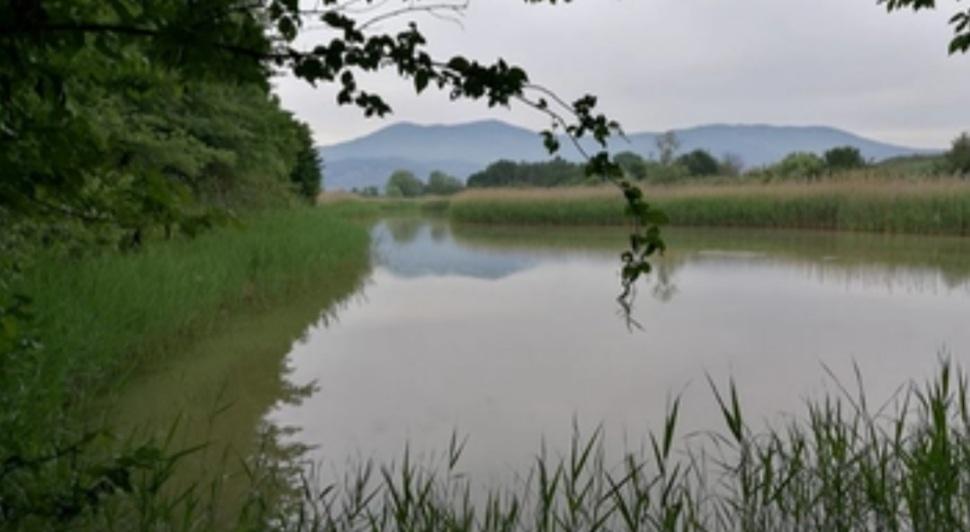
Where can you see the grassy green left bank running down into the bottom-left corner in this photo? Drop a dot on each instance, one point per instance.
(104, 317)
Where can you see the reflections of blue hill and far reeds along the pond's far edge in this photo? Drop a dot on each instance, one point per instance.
(413, 246)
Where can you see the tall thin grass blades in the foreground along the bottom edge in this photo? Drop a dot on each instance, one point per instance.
(841, 466)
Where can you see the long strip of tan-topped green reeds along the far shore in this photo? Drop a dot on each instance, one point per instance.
(926, 207)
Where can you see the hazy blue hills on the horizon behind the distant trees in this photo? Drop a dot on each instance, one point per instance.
(463, 149)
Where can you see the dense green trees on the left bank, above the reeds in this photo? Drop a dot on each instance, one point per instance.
(104, 130)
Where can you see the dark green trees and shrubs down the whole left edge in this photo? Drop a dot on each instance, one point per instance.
(119, 120)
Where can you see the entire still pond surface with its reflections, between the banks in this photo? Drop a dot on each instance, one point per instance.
(512, 336)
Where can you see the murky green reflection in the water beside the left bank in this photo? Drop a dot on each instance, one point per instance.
(219, 392)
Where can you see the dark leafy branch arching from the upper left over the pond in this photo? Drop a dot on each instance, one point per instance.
(206, 39)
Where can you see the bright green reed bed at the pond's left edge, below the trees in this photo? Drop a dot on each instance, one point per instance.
(101, 315)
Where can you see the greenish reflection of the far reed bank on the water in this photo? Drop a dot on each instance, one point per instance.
(916, 263)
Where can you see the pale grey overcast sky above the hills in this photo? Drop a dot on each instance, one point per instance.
(664, 64)
